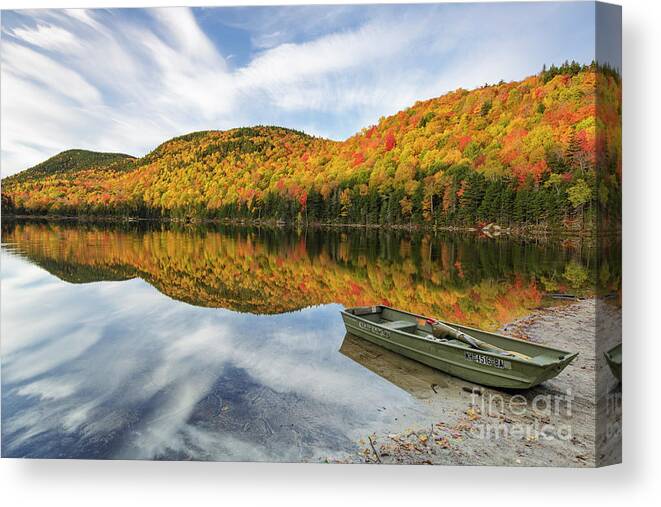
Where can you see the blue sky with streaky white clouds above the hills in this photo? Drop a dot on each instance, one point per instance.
(128, 79)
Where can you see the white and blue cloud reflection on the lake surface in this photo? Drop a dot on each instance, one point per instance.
(118, 370)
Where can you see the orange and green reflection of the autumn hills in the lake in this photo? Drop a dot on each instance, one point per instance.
(479, 281)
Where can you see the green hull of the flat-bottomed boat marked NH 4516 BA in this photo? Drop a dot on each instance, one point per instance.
(469, 364)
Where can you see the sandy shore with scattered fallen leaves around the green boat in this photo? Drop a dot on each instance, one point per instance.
(550, 425)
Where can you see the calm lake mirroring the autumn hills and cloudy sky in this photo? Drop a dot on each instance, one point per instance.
(157, 341)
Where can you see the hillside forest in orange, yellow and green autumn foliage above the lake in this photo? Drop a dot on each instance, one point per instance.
(542, 151)
